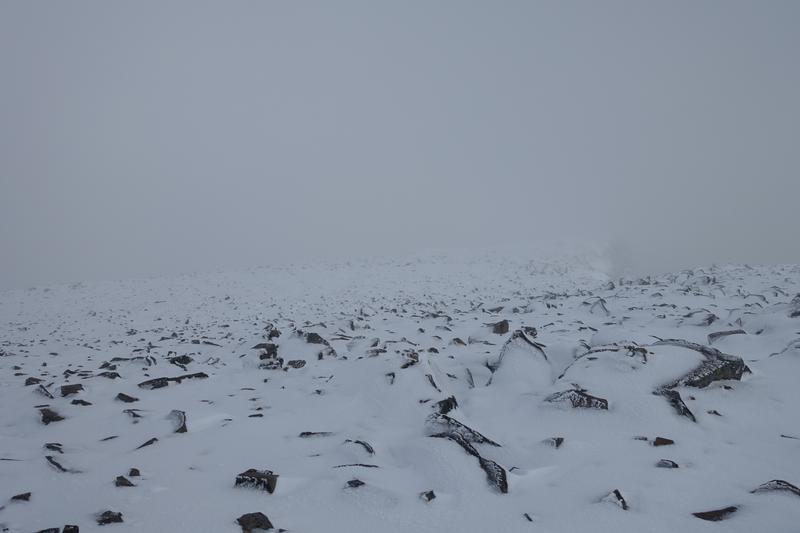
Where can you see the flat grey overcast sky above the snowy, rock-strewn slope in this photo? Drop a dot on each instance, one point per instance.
(140, 138)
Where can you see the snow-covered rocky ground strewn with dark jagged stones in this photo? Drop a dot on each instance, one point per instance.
(409, 380)
